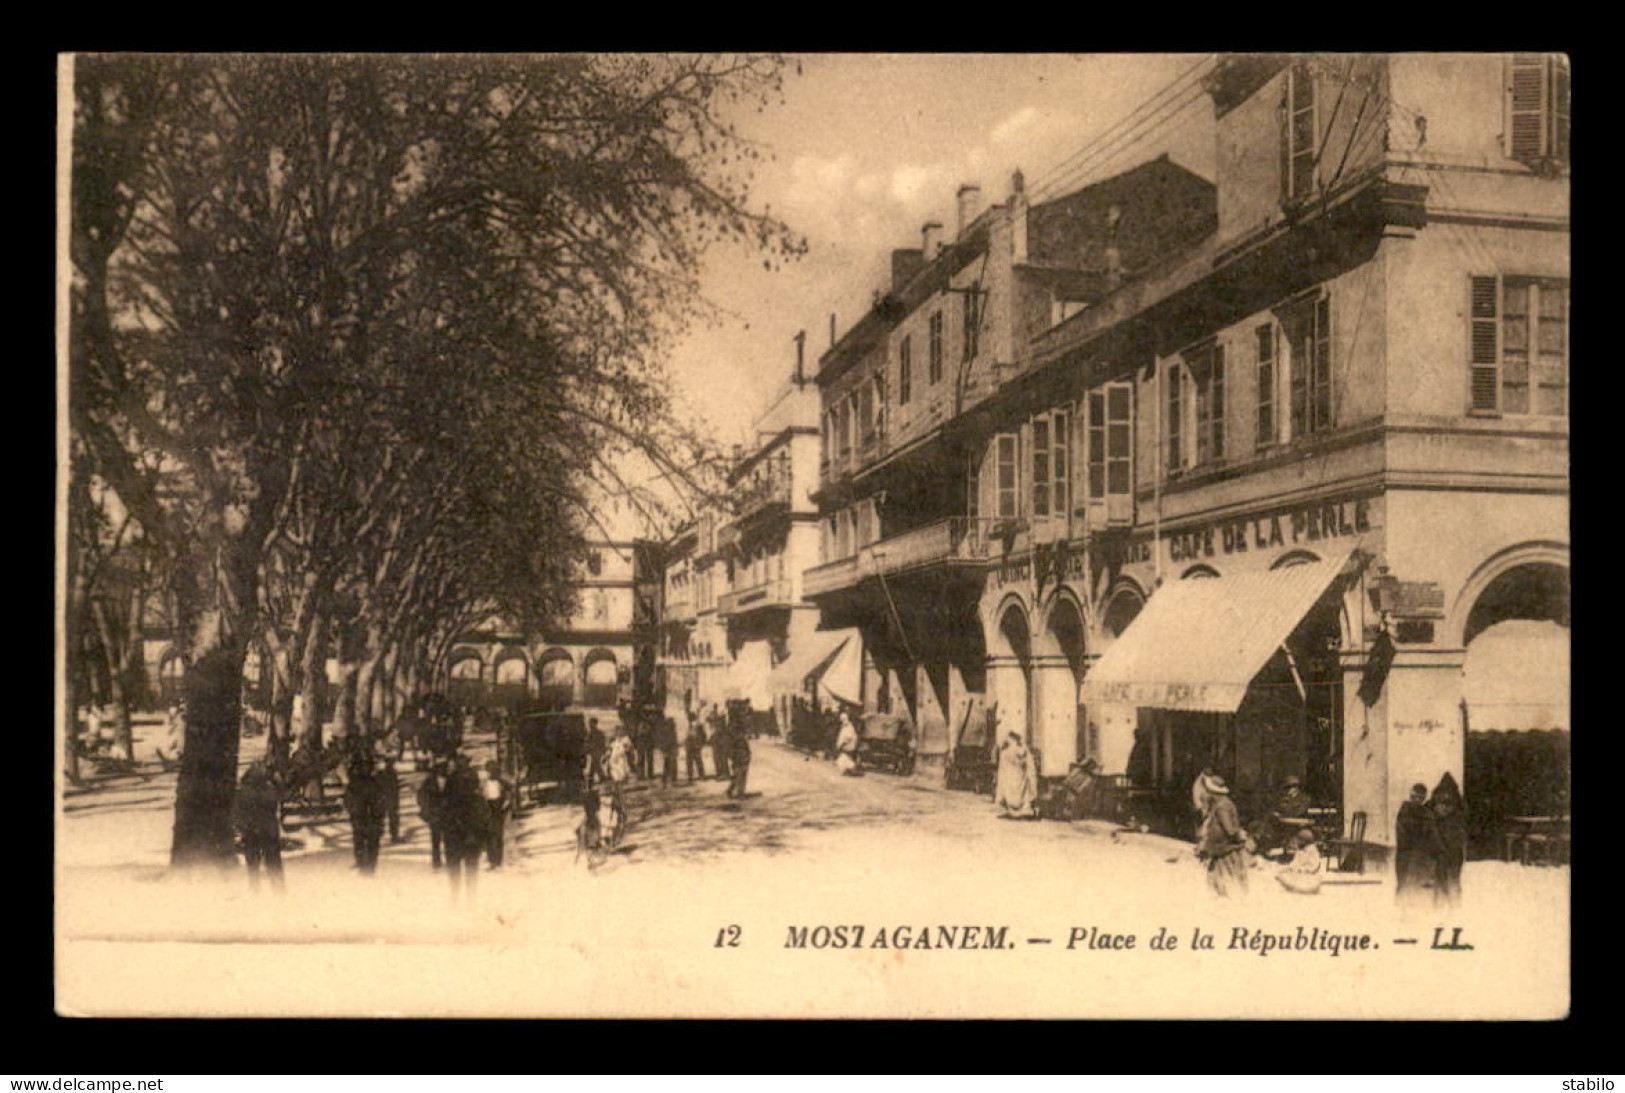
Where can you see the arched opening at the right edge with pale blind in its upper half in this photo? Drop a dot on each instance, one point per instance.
(1515, 702)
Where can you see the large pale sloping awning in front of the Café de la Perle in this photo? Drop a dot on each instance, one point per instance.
(1200, 642)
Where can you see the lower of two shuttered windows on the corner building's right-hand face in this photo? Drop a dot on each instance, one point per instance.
(1519, 347)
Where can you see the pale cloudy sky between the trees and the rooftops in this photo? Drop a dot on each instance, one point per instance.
(870, 147)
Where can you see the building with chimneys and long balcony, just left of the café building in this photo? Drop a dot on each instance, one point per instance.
(914, 498)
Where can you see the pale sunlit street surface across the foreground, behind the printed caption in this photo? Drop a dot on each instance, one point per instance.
(656, 922)
